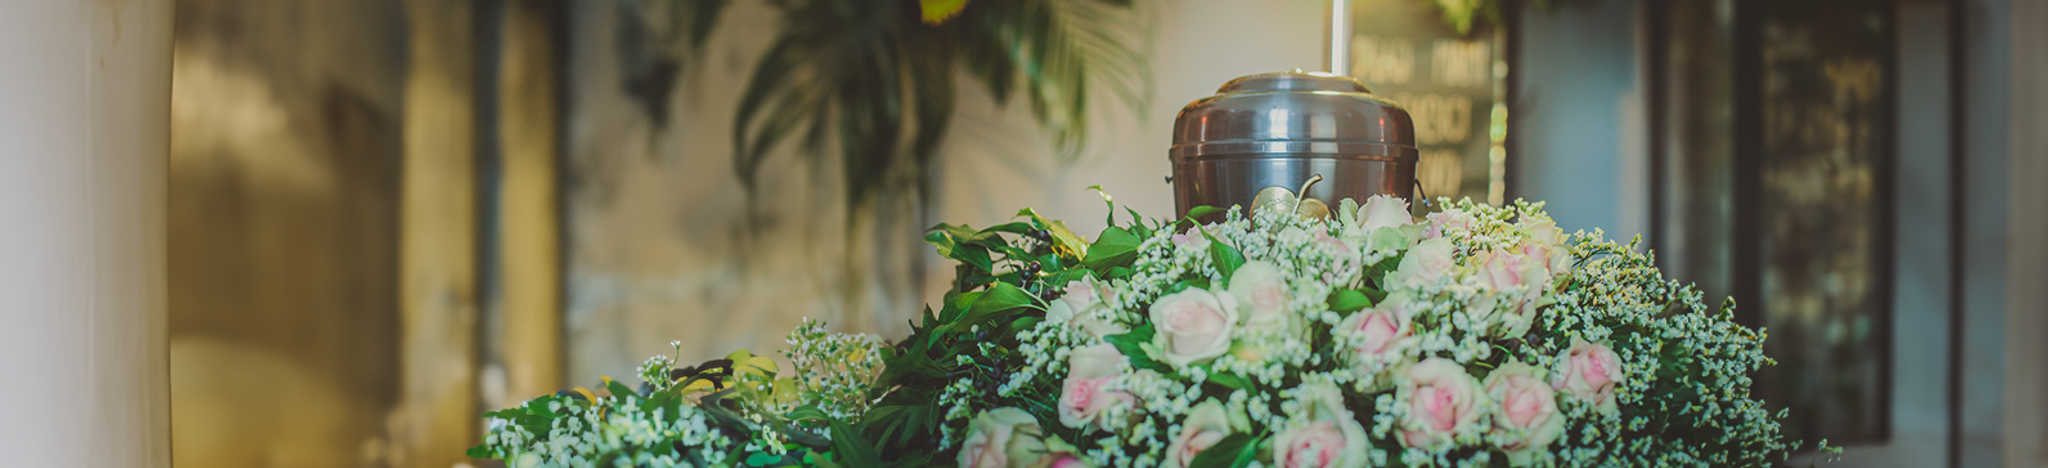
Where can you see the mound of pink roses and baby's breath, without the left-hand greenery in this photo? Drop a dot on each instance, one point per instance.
(1373, 340)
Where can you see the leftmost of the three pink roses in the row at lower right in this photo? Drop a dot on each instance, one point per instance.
(1441, 404)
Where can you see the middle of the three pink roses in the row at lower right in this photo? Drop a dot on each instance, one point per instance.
(1527, 416)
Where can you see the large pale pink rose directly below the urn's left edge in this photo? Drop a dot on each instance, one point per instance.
(1193, 326)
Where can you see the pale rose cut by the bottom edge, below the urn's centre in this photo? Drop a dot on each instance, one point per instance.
(1324, 434)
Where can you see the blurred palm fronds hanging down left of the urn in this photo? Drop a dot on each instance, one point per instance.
(880, 83)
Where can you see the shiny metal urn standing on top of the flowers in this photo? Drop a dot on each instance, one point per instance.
(1283, 132)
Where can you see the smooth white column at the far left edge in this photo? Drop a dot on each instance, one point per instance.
(85, 103)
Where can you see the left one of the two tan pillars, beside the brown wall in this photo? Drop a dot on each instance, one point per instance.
(439, 414)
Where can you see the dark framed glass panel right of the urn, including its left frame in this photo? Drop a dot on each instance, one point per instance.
(1775, 150)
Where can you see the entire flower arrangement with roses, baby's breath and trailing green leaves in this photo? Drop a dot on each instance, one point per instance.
(1478, 336)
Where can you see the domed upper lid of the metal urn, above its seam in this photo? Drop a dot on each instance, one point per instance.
(1293, 113)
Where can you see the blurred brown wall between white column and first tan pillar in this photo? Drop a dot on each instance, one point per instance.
(284, 232)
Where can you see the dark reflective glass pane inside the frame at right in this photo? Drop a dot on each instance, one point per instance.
(1824, 234)
